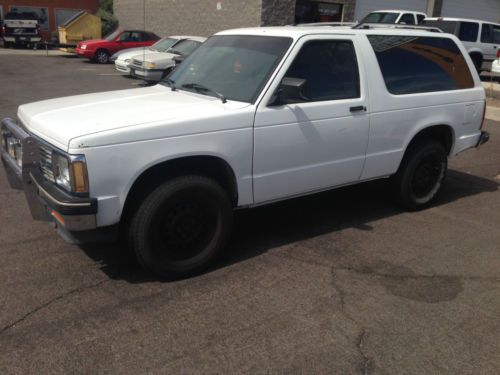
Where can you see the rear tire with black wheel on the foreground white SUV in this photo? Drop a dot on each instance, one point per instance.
(420, 174)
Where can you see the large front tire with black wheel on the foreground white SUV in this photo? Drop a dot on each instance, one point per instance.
(181, 227)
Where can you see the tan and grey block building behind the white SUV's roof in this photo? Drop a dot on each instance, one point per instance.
(205, 17)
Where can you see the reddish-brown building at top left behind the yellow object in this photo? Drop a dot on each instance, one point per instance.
(52, 13)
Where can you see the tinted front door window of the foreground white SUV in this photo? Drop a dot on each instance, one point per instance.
(330, 69)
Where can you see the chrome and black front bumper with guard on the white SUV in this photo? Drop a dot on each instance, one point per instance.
(45, 200)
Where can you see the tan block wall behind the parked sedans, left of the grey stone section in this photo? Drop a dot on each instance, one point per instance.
(187, 17)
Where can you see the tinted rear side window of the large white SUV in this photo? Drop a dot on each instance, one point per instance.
(412, 64)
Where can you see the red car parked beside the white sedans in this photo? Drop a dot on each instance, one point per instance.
(100, 50)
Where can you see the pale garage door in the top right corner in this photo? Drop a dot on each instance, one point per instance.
(487, 10)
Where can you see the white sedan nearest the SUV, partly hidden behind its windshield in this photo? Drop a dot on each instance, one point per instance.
(153, 67)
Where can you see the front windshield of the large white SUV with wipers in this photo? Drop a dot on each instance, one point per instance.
(234, 66)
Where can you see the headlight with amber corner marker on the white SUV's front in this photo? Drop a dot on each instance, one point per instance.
(70, 173)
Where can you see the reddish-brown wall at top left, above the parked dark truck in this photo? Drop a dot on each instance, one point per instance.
(91, 6)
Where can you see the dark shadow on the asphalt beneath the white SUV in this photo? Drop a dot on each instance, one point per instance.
(260, 229)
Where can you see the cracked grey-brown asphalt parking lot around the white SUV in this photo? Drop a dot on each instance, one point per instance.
(341, 282)
